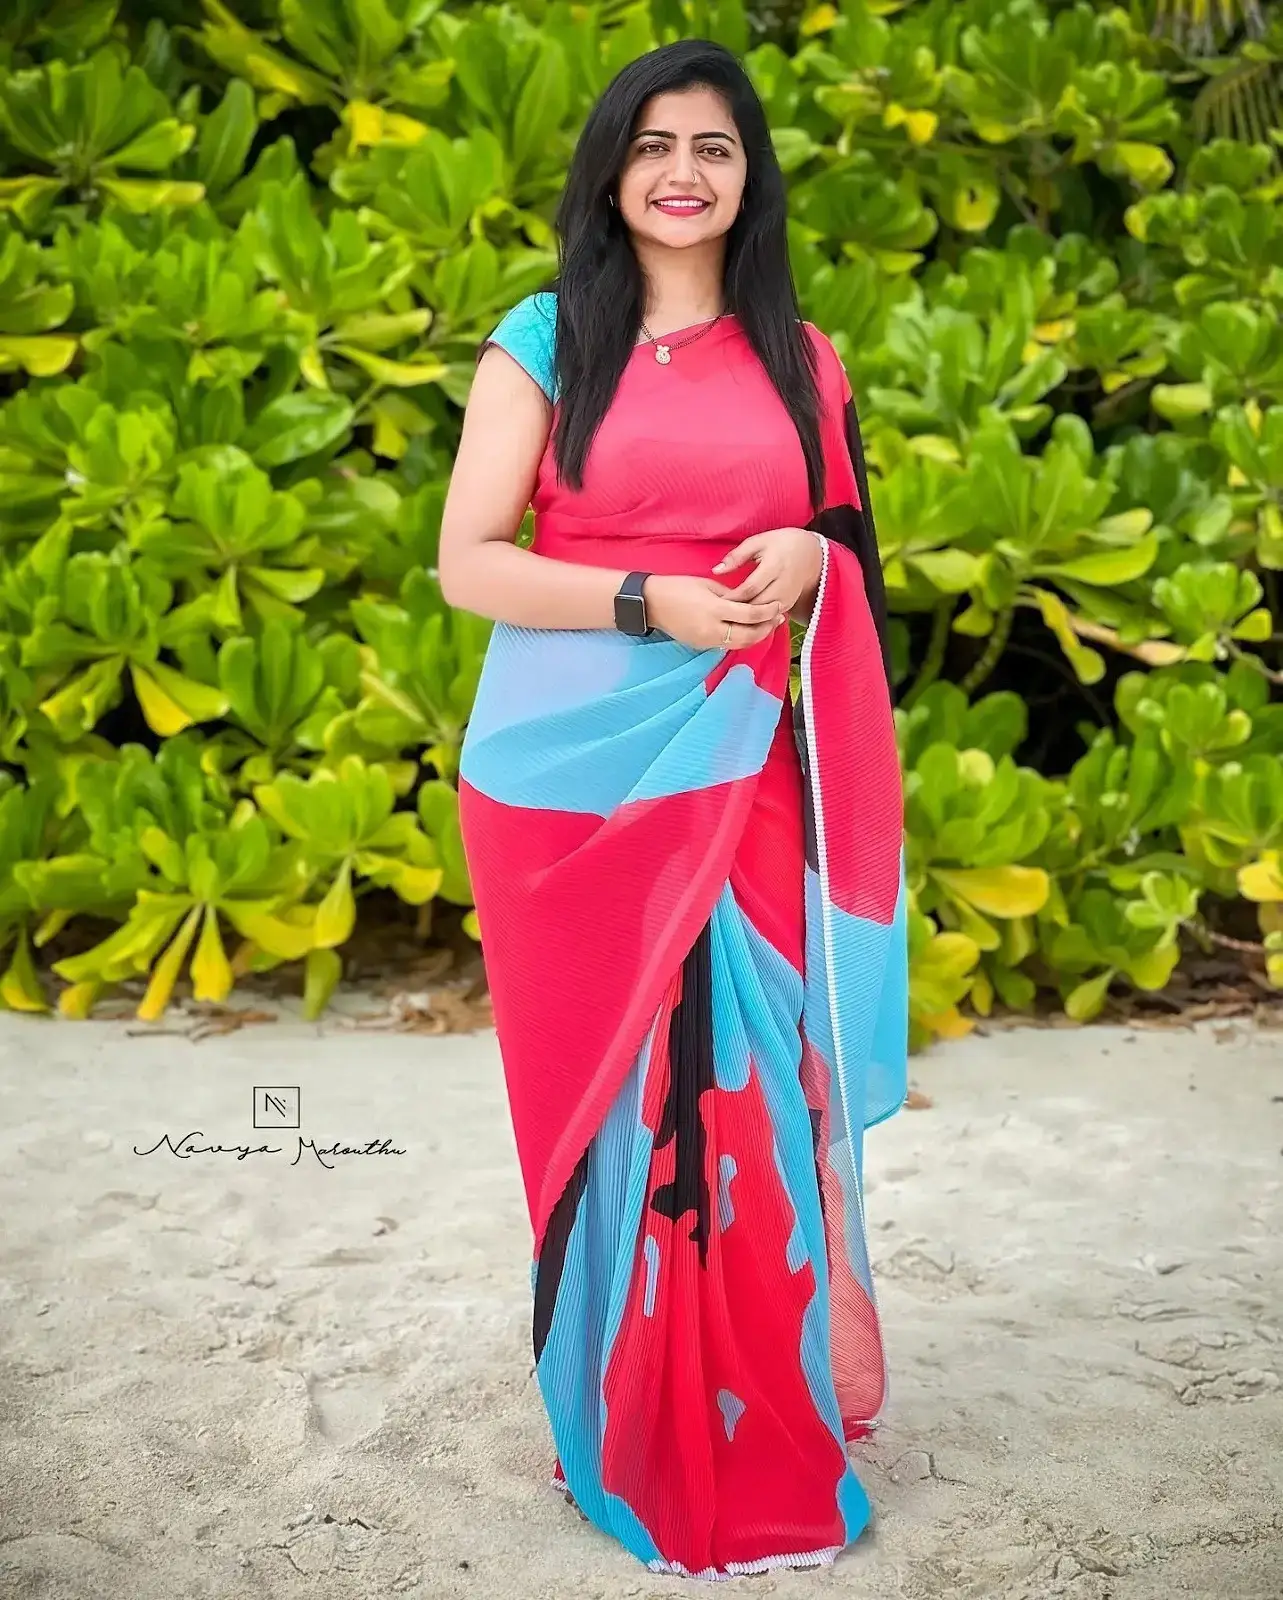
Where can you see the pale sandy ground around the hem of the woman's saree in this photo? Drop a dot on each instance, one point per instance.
(239, 1378)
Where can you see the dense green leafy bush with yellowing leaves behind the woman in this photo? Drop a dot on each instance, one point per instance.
(247, 254)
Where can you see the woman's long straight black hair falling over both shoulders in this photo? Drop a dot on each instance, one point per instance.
(601, 290)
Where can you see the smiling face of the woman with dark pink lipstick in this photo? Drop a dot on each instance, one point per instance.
(685, 150)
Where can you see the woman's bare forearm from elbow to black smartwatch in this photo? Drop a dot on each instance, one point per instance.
(503, 582)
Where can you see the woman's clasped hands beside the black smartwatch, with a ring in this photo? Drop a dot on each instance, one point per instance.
(706, 614)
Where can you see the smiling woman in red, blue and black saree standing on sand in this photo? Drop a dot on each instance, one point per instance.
(690, 894)
